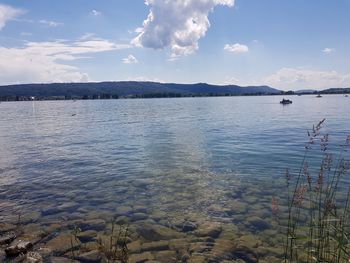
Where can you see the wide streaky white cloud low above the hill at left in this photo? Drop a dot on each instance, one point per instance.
(43, 62)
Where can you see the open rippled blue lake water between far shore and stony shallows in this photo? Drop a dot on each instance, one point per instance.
(181, 157)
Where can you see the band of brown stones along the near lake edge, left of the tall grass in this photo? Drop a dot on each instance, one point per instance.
(150, 237)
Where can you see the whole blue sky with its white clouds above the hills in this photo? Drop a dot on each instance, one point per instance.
(286, 44)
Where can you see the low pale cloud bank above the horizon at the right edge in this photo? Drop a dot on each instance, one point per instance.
(299, 78)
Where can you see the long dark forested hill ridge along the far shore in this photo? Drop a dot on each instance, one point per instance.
(125, 89)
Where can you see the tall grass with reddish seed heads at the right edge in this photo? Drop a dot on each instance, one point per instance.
(318, 227)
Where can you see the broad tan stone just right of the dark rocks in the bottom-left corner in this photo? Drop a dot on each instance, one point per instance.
(62, 243)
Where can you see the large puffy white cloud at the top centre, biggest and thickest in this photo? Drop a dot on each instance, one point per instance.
(177, 24)
